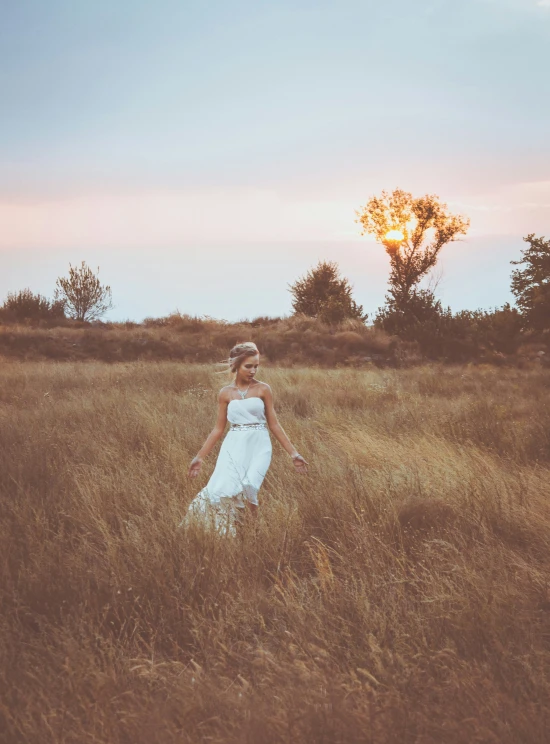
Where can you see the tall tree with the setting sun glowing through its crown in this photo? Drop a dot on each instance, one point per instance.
(413, 232)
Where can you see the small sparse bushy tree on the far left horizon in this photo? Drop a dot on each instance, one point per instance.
(83, 295)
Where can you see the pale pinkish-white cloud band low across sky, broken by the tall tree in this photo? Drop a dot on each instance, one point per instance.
(224, 216)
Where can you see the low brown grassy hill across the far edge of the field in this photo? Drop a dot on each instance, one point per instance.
(298, 340)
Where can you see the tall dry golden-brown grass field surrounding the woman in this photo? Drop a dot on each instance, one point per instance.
(398, 593)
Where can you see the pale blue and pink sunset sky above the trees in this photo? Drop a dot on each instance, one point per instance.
(205, 154)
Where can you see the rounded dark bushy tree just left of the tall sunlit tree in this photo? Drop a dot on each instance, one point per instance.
(324, 294)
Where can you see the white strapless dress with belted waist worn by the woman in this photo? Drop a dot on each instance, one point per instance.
(243, 461)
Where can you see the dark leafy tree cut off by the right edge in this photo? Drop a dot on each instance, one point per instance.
(531, 284)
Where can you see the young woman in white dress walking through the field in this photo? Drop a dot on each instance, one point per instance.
(245, 454)
